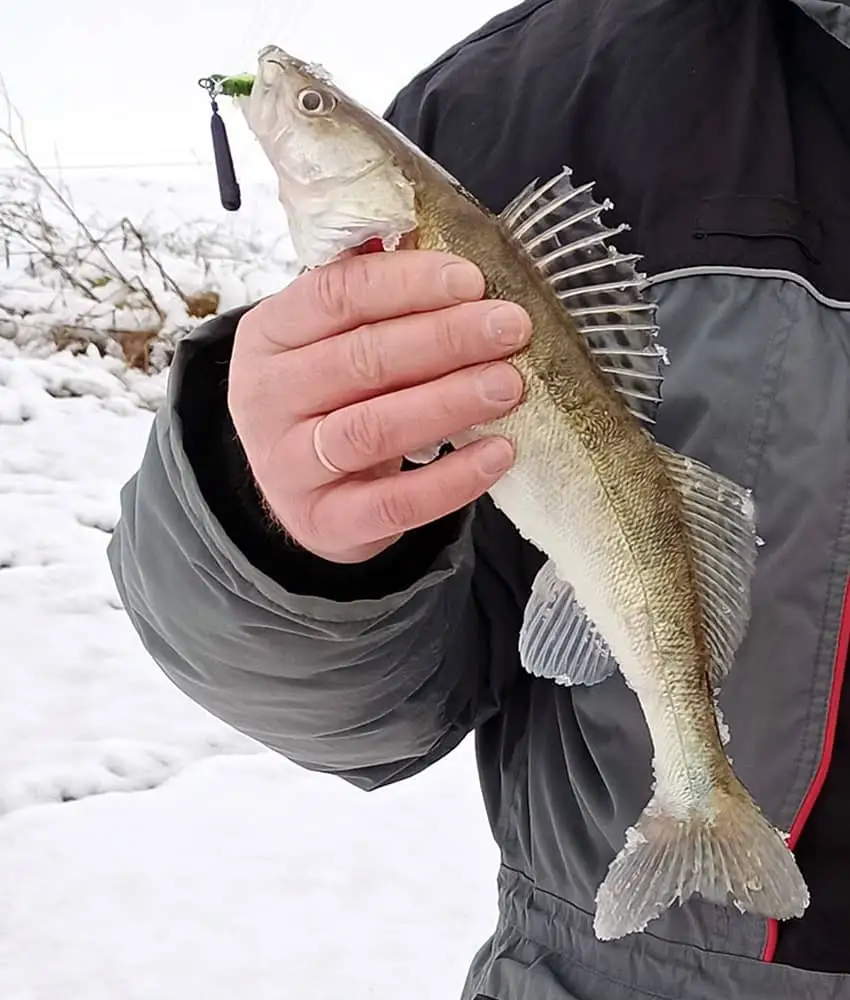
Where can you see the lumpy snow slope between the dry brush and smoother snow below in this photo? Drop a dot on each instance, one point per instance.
(82, 710)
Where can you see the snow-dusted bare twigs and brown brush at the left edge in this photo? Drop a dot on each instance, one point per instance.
(90, 281)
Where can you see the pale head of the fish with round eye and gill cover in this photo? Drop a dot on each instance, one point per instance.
(343, 173)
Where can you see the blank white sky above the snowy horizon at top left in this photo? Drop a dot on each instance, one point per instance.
(104, 82)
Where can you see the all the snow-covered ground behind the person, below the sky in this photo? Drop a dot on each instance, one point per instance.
(146, 850)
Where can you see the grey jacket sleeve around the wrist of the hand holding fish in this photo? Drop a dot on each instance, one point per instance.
(371, 689)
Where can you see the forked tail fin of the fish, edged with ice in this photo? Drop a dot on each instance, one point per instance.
(726, 852)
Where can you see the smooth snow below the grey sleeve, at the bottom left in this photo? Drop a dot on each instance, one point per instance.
(243, 877)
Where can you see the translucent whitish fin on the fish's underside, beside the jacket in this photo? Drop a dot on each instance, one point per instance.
(557, 640)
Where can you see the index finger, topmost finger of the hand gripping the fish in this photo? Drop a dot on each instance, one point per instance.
(366, 288)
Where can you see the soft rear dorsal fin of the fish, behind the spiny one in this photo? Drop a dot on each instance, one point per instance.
(720, 518)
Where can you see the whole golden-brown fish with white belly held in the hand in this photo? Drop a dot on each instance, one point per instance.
(649, 553)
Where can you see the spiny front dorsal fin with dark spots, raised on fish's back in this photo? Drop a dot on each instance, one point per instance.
(559, 227)
